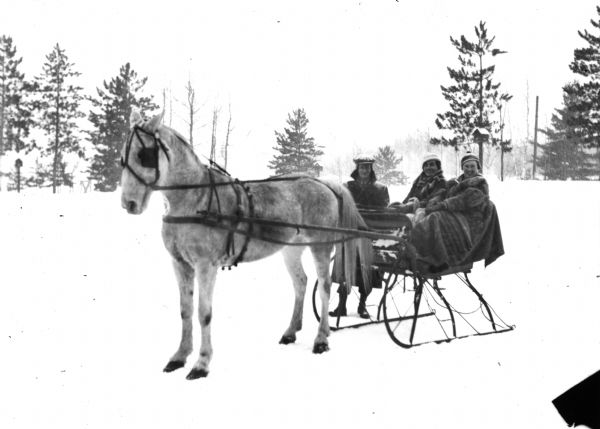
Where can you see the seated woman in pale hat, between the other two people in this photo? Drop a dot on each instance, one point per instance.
(427, 189)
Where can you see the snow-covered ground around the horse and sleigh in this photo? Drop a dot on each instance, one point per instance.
(89, 315)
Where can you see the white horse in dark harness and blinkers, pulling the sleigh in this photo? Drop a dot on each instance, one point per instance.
(156, 157)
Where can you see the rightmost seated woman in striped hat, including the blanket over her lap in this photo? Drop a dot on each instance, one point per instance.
(464, 227)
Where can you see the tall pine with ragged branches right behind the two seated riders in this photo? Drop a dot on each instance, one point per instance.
(474, 98)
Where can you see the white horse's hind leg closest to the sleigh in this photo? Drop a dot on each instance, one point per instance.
(322, 259)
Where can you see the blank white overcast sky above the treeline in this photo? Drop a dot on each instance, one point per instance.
(366, 72)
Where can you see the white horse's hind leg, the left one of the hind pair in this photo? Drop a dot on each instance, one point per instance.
(292, 257)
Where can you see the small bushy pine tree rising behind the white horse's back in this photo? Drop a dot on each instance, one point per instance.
(297, 153)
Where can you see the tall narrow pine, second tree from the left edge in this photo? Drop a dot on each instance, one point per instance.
(58, 104)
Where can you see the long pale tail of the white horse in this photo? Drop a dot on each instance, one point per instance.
(345, 262)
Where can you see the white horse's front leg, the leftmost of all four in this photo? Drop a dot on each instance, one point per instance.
(185, 278)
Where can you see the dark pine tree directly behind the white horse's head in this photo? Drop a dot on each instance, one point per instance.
(110, 119)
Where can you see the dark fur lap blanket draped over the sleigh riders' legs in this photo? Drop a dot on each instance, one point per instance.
(446, 239)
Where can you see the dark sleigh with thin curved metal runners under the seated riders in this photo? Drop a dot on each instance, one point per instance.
(412, 297)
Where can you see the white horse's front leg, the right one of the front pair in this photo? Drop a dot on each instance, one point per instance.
(206, 275)
